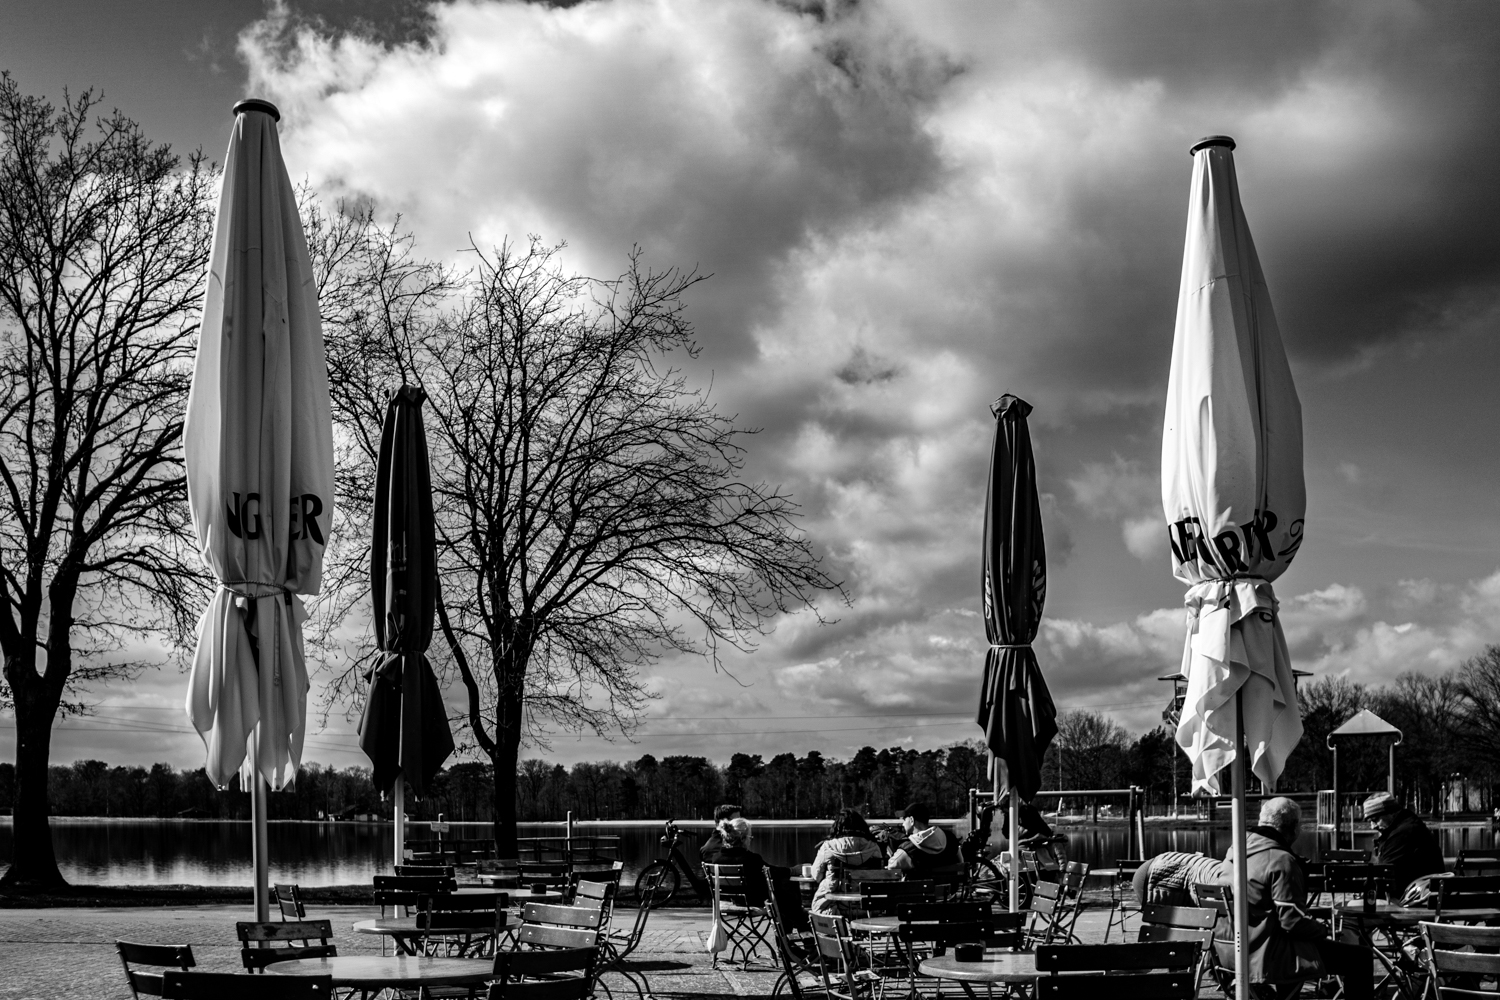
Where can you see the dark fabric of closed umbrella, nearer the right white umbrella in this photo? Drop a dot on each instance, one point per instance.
(1016, 708)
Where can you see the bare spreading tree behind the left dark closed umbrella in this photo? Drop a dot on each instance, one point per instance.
(590, 509)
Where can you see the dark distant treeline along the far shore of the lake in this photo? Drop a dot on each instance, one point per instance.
(1451, 750)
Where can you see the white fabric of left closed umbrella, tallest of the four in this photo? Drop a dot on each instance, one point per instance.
(259, 448)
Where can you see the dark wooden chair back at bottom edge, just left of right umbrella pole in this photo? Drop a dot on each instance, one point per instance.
(1180, 983)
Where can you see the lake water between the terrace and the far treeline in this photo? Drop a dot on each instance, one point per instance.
(218, 854)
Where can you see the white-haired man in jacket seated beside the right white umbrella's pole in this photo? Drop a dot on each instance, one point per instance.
(1286, 945)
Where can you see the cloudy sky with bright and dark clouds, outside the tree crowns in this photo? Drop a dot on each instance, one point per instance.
(911, 209)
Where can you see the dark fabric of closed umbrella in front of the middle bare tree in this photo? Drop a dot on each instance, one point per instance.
(406, 725)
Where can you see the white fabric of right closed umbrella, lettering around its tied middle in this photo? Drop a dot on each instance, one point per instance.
(1232, 485)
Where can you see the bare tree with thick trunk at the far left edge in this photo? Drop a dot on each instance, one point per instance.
(104, 241)
